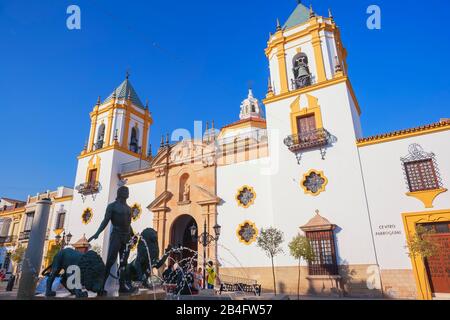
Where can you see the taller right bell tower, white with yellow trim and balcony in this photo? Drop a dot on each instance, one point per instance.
(313, 123)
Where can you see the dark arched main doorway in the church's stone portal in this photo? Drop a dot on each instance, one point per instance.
(180, 236)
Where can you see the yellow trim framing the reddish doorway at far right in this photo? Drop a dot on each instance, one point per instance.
(410, 221)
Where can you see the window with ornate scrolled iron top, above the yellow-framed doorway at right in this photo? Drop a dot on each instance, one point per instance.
(420, 169)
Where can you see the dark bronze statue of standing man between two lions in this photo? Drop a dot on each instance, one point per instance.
(119, 214)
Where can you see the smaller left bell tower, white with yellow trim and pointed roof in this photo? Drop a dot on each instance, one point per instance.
(119, 134)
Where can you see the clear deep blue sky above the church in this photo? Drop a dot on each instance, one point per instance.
(194, 61)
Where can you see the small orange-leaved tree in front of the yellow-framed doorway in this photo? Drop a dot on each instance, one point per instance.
(420, 245)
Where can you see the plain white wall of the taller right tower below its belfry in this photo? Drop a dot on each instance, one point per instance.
(343, 202)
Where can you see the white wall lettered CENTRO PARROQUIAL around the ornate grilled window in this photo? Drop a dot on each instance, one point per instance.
(386, 188)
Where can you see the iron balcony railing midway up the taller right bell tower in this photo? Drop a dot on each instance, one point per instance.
(308, 140)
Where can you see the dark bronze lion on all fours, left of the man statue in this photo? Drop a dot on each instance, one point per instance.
(92, 272)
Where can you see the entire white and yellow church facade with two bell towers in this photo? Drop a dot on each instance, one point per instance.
(303, 167)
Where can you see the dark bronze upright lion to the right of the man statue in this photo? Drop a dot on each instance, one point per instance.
(139, 269)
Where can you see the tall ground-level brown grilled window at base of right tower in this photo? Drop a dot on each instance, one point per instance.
(324, 262)
